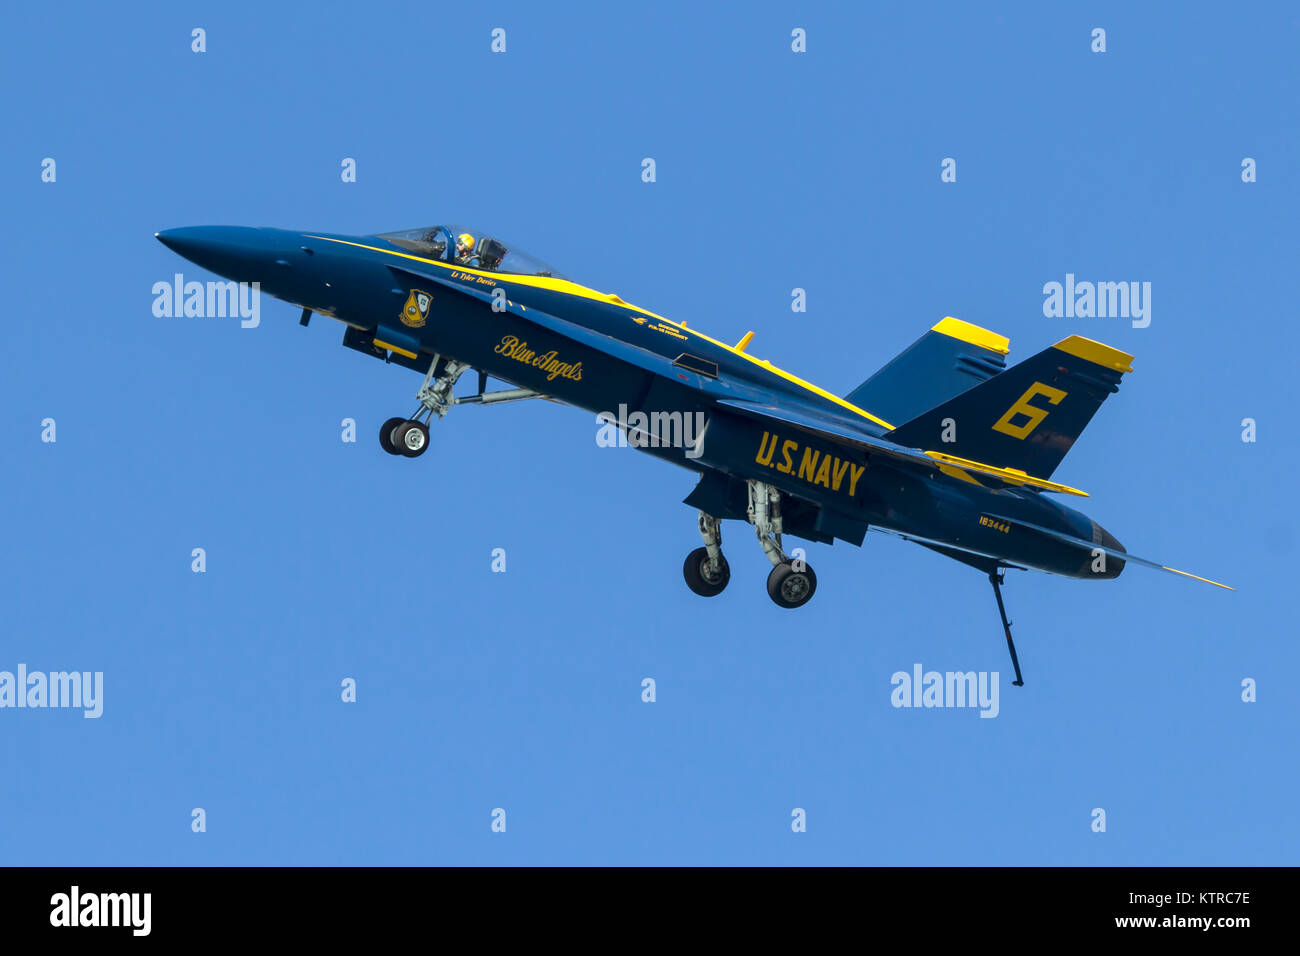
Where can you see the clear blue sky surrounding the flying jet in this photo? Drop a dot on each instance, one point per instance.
(523, 690)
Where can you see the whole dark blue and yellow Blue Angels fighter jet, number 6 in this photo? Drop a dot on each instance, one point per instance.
(946, 445)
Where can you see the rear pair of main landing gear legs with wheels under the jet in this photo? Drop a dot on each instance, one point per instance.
(791, 583)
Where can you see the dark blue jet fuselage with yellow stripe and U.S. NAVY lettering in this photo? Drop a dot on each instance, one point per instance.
(605, 354)
